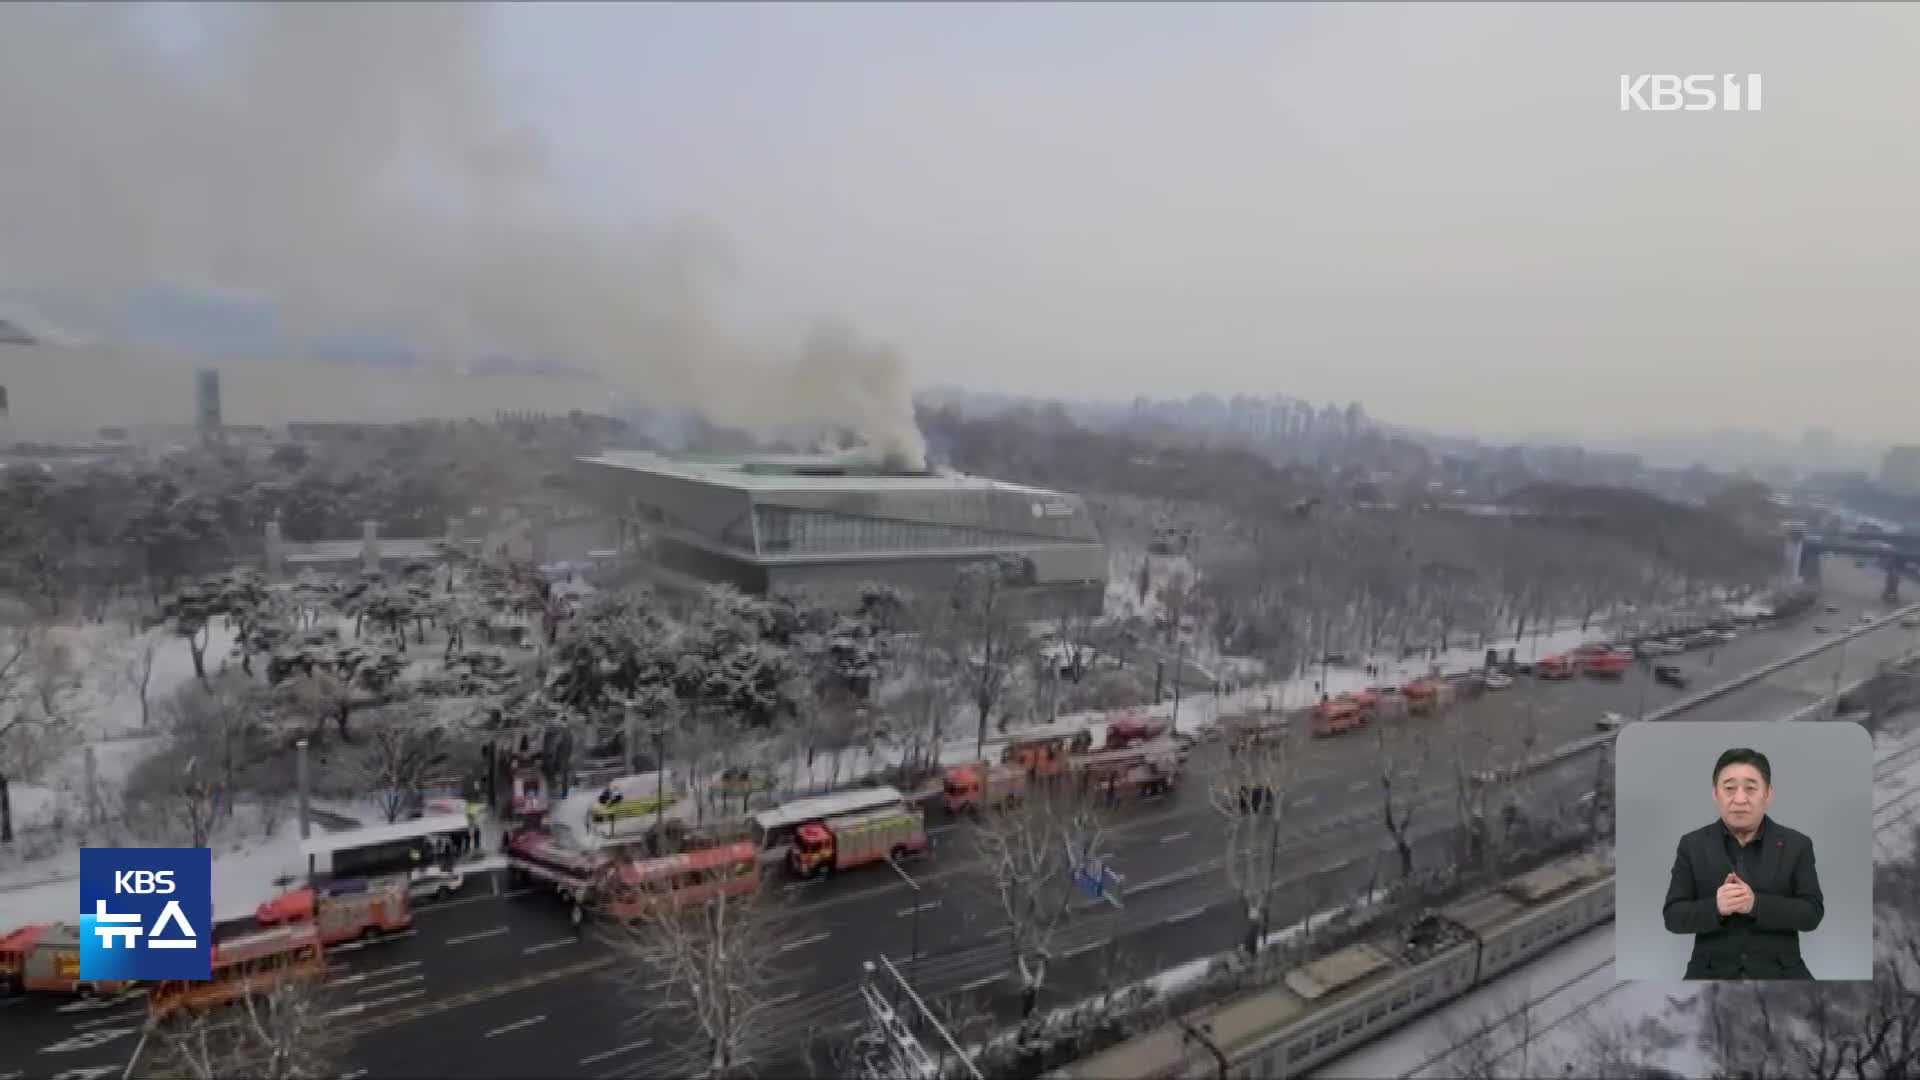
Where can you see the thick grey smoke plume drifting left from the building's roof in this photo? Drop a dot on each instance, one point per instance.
(360, 166)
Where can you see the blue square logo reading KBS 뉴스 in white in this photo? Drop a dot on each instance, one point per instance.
(147, 914)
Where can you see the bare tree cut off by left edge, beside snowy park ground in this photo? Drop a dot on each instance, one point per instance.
(39, 708)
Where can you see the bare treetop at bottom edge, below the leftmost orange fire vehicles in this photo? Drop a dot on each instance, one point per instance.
(281, 1033)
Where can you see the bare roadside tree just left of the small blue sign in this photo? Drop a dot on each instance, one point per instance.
(1026, 856)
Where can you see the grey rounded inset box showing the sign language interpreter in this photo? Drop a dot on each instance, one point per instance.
(1744, 850)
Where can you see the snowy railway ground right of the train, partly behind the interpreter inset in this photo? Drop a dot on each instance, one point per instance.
(1564, 1012)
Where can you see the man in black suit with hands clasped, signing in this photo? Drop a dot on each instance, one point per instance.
(1746, 885)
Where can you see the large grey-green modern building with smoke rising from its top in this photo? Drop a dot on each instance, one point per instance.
(779, 524)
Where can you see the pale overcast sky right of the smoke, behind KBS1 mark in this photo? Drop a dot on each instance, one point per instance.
(1435, 209)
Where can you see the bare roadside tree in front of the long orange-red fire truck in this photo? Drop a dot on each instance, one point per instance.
(708, 968)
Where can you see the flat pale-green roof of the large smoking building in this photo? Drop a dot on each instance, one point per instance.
(800, 474)
